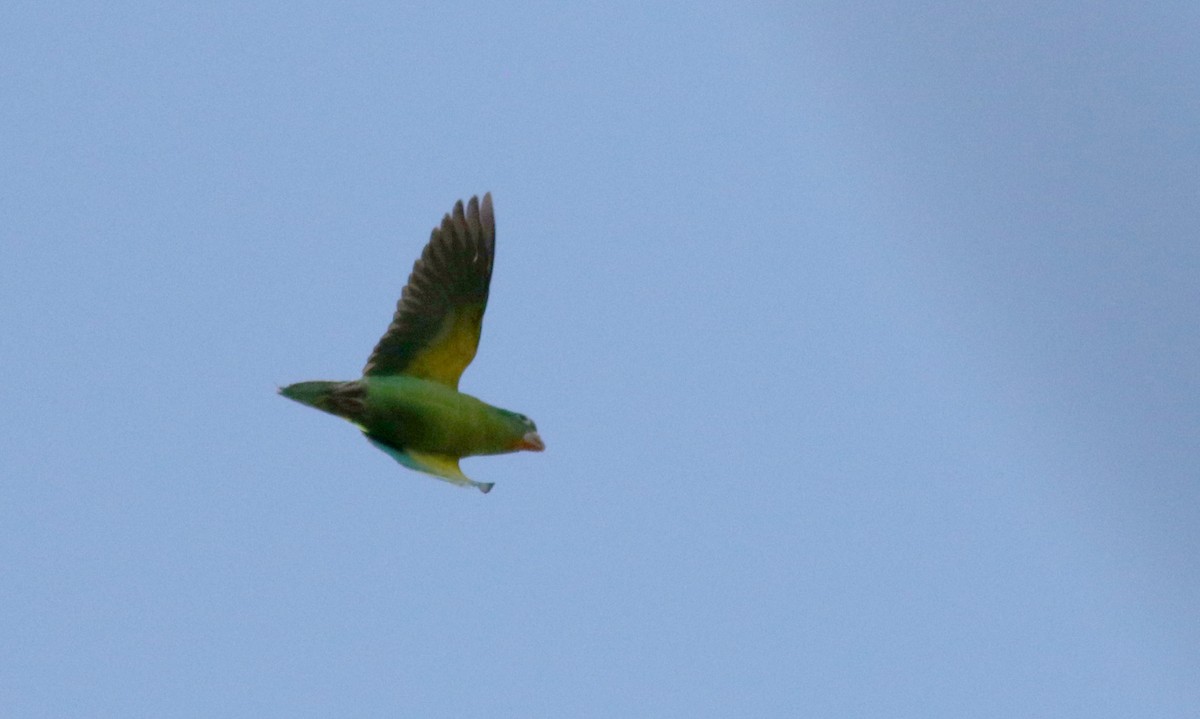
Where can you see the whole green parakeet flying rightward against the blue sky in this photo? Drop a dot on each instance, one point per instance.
(407, 402)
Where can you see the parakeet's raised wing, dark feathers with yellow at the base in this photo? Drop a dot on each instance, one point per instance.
(435, 332)
